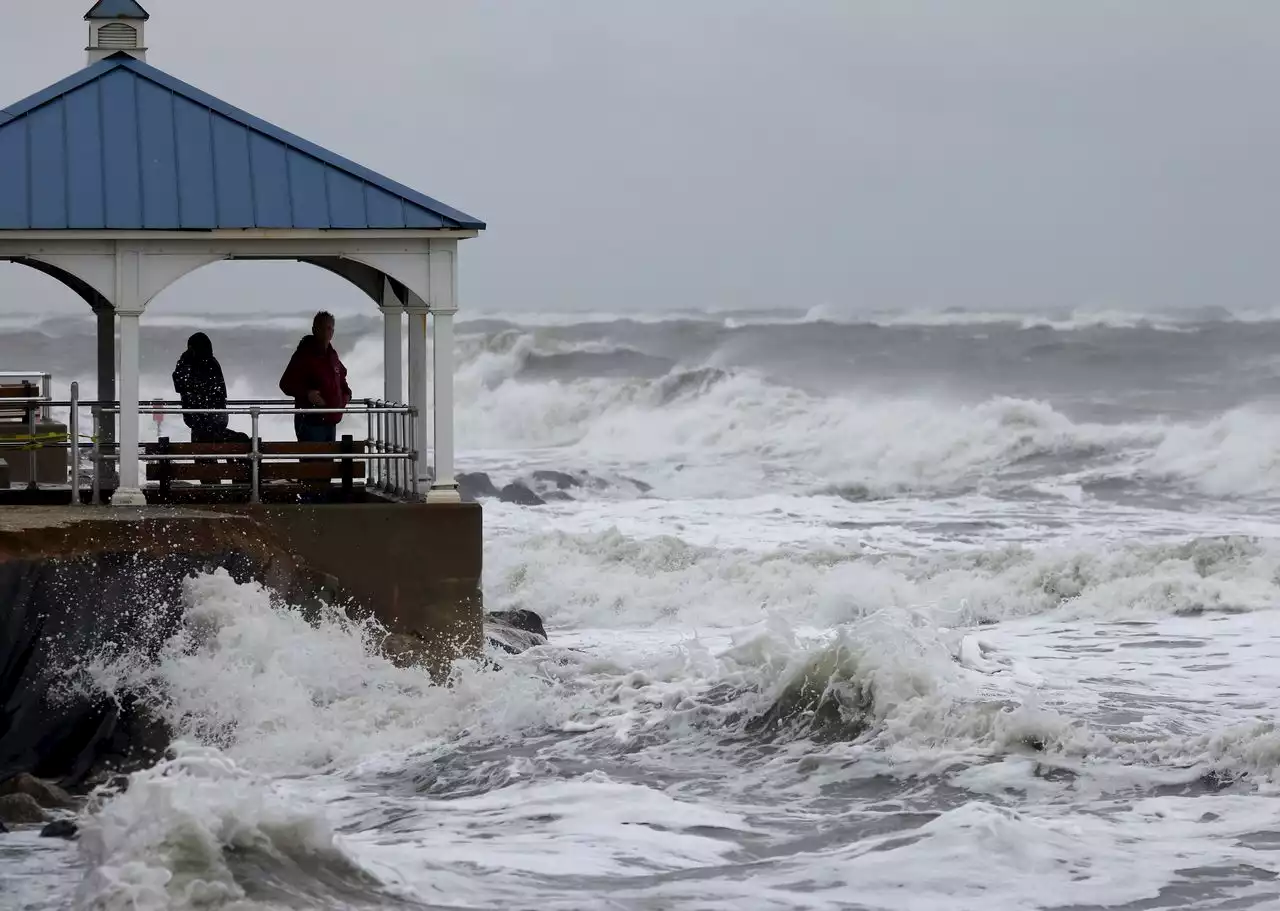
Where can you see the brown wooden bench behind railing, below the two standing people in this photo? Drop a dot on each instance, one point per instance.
(234, 469)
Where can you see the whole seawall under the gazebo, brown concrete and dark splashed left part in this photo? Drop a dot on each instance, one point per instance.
(90, 582)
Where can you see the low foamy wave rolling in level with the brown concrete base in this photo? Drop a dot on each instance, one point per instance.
(604, 580)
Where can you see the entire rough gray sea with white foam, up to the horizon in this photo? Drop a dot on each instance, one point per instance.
(949, 611)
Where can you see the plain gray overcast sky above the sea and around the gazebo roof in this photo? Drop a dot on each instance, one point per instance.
(644, 154)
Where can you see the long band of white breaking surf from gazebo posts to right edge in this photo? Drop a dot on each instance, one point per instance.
(714, 432)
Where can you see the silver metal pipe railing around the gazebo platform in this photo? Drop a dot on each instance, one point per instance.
(390, 448)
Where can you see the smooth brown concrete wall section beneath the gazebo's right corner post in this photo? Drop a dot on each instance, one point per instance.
(417, 567)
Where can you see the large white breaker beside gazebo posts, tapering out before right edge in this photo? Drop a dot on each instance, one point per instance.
(692, 423)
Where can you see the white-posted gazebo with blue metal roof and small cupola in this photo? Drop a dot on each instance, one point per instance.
(121, 180)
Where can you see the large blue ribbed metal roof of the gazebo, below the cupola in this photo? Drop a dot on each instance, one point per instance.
(125, 147)
